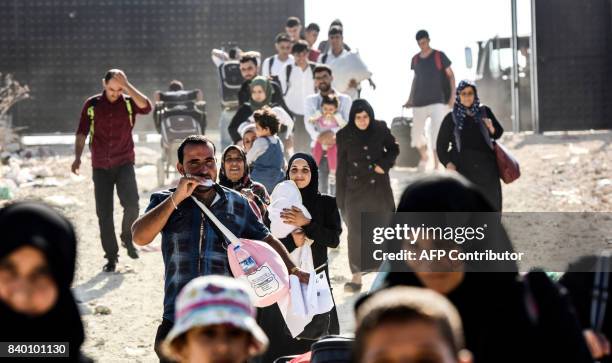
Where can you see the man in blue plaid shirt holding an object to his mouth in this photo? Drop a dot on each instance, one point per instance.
(191, 244)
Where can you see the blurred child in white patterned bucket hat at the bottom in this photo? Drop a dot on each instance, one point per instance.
(215, 322)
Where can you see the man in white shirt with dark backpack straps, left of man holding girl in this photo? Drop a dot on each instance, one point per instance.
(297, 82)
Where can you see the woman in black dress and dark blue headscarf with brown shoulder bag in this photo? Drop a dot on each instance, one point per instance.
(465, 142)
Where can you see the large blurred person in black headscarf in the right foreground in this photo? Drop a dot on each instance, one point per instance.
(527, 317)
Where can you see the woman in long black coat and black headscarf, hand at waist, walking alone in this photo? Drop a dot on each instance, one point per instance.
(366, 153)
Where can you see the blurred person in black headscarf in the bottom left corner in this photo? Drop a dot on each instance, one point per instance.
(37, 262)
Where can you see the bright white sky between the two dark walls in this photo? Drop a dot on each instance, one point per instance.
(383, 31)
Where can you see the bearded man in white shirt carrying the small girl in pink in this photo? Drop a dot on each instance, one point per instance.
(323, 79)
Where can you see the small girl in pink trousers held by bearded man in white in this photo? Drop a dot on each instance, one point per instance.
(329, 119)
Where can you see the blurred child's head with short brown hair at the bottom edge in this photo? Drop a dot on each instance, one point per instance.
(408, 324)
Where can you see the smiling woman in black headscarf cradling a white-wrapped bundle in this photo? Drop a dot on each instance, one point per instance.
(324, 229)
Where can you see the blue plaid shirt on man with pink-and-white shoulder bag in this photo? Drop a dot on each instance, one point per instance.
(192, 246)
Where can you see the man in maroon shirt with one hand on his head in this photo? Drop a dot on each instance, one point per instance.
(108, 119)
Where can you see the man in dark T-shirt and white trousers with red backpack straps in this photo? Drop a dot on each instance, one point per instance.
(431, 95)
